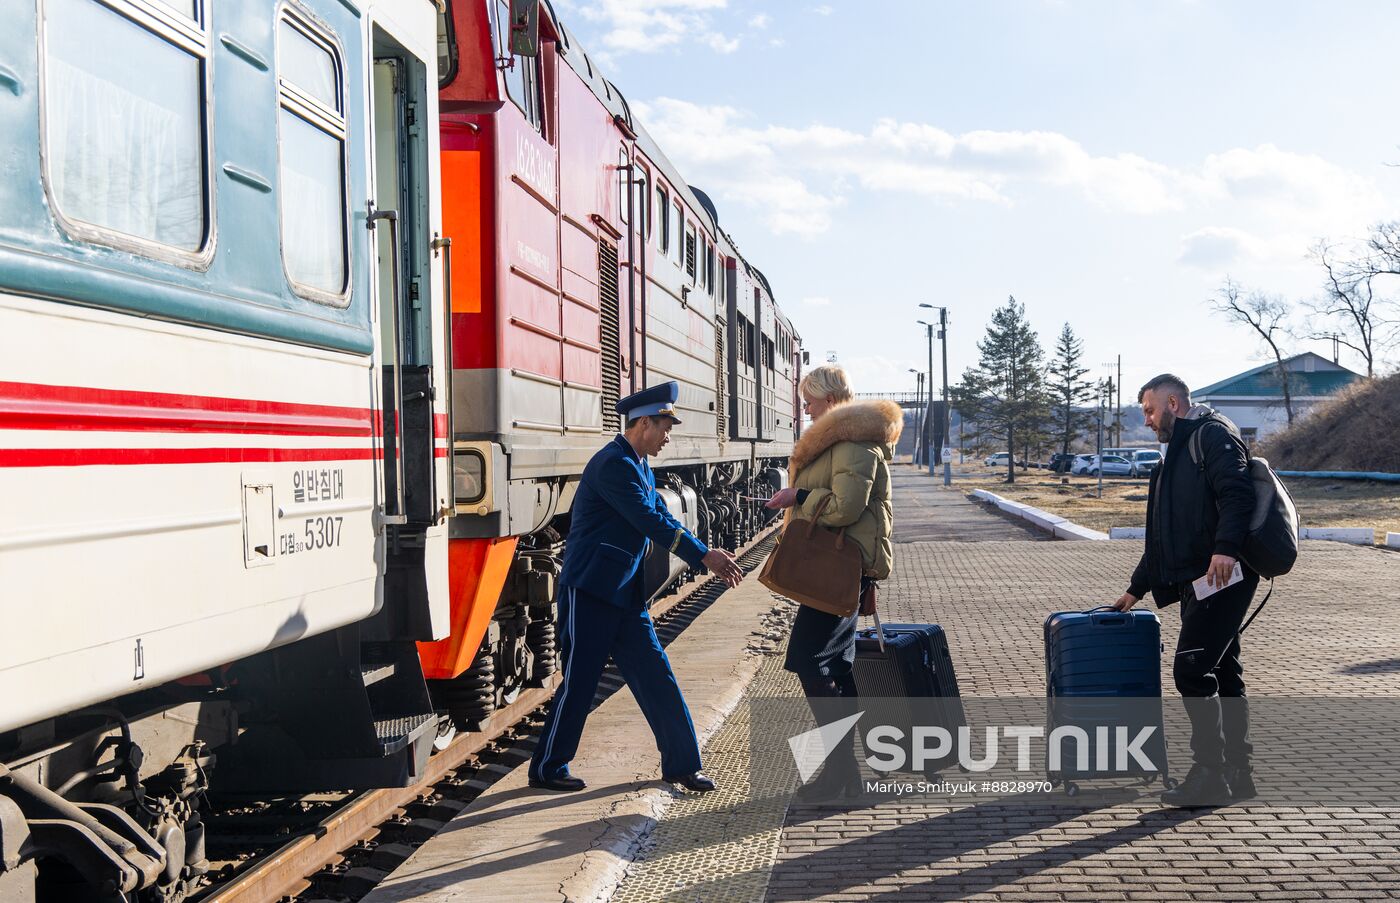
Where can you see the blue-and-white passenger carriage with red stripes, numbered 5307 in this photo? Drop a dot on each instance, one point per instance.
(223, 437)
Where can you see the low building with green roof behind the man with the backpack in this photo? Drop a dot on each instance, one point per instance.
(1255, 398)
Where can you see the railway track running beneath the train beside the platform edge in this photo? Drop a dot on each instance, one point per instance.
(339, 848)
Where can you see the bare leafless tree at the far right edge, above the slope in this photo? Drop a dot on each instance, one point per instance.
(1350, 299)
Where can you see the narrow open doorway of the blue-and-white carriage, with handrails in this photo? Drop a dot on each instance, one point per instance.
(408, 325)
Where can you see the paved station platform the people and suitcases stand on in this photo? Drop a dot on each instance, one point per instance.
(1332, 631)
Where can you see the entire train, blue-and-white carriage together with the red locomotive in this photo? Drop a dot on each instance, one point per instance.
(307, 344)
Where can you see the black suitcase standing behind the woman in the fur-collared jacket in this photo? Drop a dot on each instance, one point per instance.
(913, 663)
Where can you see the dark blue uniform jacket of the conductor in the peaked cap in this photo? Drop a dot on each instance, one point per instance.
(615, 513)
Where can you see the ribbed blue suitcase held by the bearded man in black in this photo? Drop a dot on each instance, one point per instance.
(1104, 668)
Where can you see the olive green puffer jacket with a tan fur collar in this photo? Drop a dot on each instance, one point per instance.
(846, 454)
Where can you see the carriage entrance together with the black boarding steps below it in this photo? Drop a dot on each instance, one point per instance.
(349, 709)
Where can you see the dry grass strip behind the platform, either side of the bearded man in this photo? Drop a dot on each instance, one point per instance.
(1321, 503)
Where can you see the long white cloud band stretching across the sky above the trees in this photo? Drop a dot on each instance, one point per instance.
(796, 178)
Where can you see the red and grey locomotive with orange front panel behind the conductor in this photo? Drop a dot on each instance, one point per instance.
(586, 269)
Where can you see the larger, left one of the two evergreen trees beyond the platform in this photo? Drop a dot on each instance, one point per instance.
(1006, 394)
